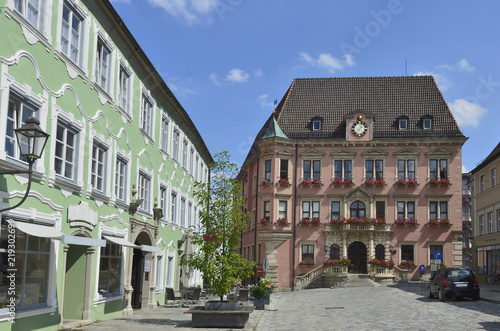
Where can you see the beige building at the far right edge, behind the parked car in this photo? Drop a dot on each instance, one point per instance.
(486, 214)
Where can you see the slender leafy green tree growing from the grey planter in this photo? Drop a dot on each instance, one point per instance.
(222, 219)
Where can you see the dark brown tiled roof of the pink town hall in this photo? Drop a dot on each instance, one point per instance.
(387, 98)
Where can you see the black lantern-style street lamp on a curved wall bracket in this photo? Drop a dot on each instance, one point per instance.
(31, 140)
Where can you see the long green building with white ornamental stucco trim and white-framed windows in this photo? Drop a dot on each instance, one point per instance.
(111, 207)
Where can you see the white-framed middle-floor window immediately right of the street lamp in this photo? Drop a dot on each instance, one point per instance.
(65, 151)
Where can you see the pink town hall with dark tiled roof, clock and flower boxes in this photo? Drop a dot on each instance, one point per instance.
(362, 168)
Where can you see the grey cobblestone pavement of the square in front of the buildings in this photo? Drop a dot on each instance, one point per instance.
(380, 307)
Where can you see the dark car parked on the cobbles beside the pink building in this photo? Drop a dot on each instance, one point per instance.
(453, 283)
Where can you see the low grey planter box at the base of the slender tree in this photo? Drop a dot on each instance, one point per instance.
(202, 318)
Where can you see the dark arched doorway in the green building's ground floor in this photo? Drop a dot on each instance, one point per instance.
(140, 279)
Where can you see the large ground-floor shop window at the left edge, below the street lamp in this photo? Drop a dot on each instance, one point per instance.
(32, 268)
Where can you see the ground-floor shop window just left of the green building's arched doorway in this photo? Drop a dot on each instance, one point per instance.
(110, 266)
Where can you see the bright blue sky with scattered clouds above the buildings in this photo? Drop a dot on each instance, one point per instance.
(226, 61)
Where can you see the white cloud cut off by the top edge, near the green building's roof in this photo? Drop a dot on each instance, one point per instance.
(190, 11)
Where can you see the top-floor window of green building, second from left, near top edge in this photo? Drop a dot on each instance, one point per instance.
(71, 34)
